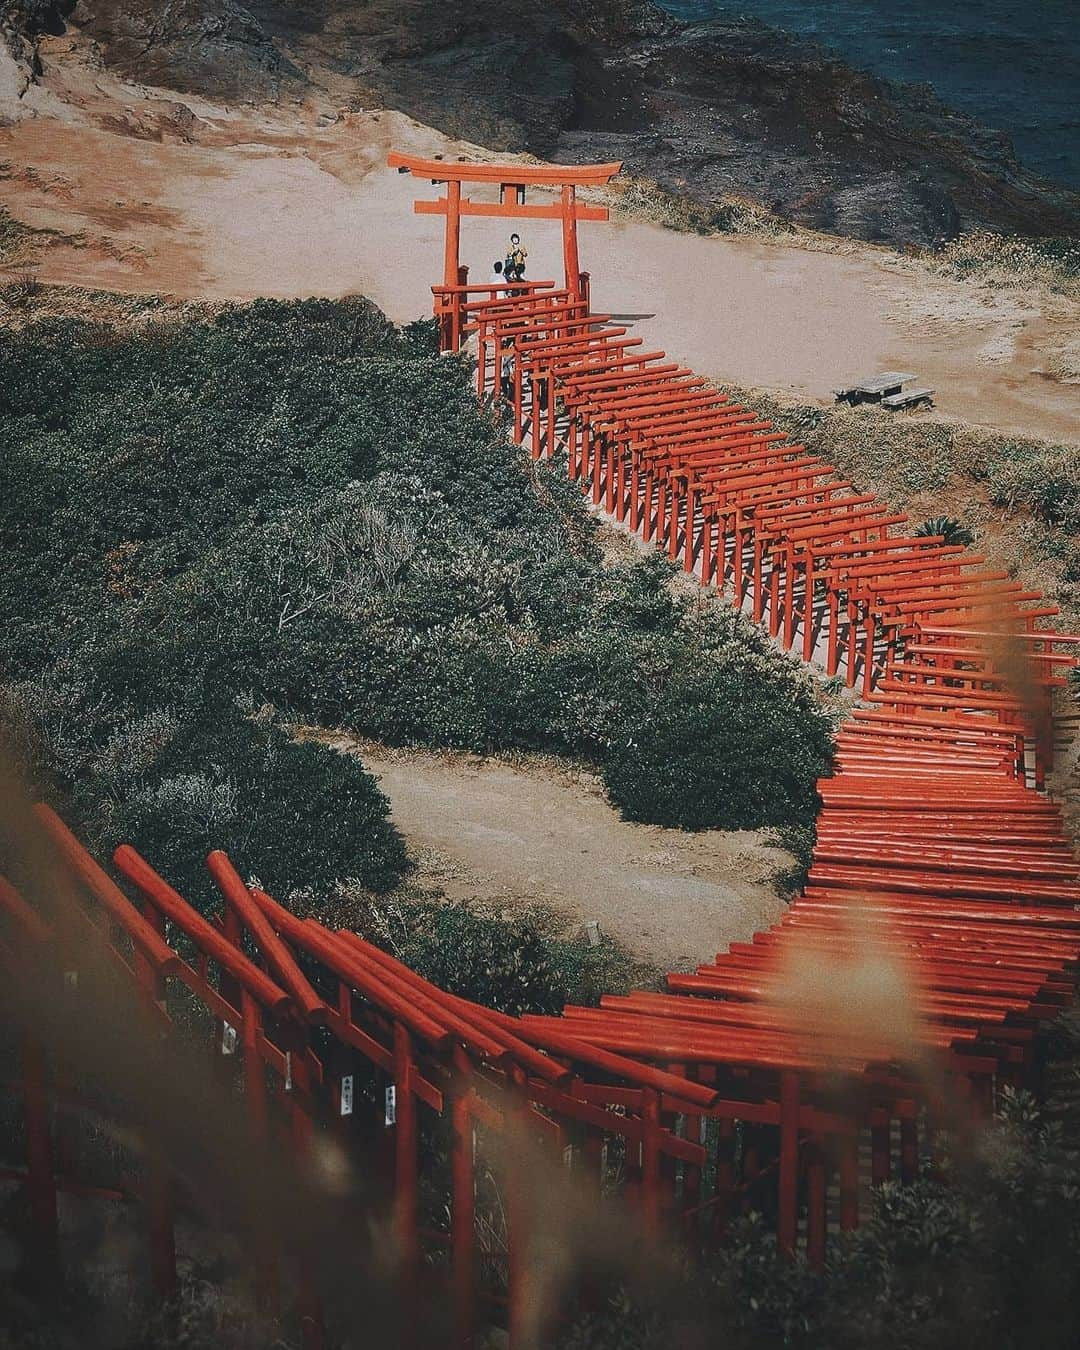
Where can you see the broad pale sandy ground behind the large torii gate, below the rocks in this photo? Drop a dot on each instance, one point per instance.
(151, 194)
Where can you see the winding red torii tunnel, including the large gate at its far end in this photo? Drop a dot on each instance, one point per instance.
(938, 851)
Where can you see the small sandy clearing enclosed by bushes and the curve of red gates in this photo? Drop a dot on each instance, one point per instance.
(516, 834)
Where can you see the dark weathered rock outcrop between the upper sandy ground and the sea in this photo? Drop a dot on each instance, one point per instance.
(730, 107)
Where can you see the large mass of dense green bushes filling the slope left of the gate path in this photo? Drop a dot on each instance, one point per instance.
(295, 512)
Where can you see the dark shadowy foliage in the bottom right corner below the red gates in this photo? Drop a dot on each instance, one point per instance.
(983, 1253)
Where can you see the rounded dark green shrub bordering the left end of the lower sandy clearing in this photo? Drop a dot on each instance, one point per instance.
(296, 816)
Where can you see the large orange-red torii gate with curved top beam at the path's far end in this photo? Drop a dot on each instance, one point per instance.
(512, 182)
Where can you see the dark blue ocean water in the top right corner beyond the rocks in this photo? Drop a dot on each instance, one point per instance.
(1012, 64)
